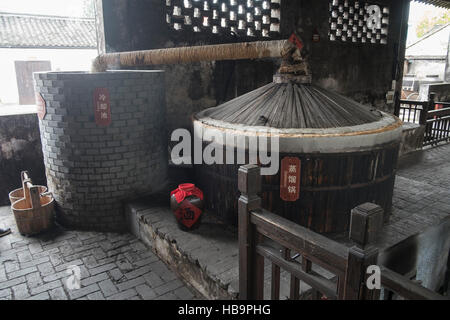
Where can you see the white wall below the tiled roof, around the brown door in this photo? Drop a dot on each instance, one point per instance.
(61, 60)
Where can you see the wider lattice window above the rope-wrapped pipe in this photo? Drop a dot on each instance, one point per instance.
(252, 18)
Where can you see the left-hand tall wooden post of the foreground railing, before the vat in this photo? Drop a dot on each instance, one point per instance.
(249, 184)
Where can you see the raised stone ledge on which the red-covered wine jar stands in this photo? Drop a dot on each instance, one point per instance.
(207, 258)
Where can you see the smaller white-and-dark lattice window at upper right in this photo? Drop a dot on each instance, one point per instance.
(358, 22)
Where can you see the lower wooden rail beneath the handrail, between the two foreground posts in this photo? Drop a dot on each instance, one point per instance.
(314, 280)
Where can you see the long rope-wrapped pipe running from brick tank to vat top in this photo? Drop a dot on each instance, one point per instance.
(233, 51)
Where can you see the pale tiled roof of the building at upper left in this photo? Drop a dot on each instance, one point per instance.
(36, 31)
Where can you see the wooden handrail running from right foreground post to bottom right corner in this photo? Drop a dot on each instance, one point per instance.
(405, 287)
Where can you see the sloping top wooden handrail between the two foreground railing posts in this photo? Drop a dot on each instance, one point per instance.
(317, 248)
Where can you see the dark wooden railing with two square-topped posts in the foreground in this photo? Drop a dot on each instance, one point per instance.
(262, 234)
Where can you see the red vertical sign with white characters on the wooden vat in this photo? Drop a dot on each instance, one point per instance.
(290, 179)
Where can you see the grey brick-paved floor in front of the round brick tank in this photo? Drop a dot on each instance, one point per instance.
(112, 266)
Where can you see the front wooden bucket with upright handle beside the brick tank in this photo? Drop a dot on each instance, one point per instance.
(34, 213)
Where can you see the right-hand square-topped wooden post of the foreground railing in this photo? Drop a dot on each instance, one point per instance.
(365, 225)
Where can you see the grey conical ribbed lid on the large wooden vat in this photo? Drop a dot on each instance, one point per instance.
(292, 105)
